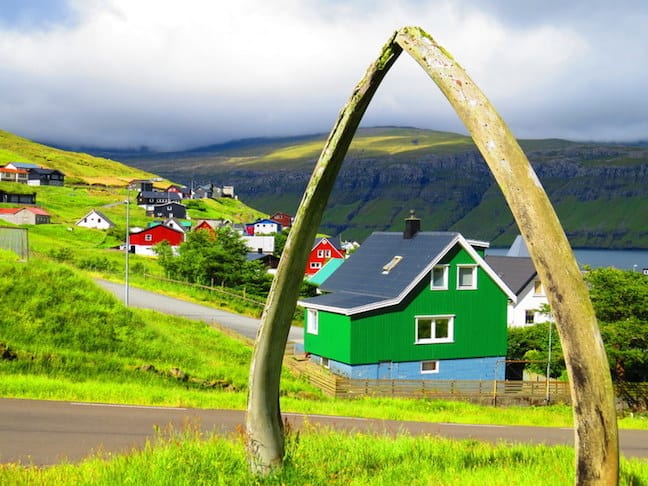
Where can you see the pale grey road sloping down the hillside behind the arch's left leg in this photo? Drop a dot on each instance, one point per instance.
(245, 326)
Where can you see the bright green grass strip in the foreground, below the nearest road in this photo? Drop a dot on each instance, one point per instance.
(320, 456)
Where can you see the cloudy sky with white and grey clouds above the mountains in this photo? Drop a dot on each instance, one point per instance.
(173, 74)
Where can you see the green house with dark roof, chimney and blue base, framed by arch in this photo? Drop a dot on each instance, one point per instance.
(411, 305)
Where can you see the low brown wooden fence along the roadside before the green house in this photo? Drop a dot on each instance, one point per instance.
(478, 391)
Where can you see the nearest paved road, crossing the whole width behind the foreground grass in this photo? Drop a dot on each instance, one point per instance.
(46, 432)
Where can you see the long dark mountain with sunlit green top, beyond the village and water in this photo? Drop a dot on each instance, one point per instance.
(599, 190)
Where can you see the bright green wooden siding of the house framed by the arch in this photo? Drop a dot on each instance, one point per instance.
(388, 334)
